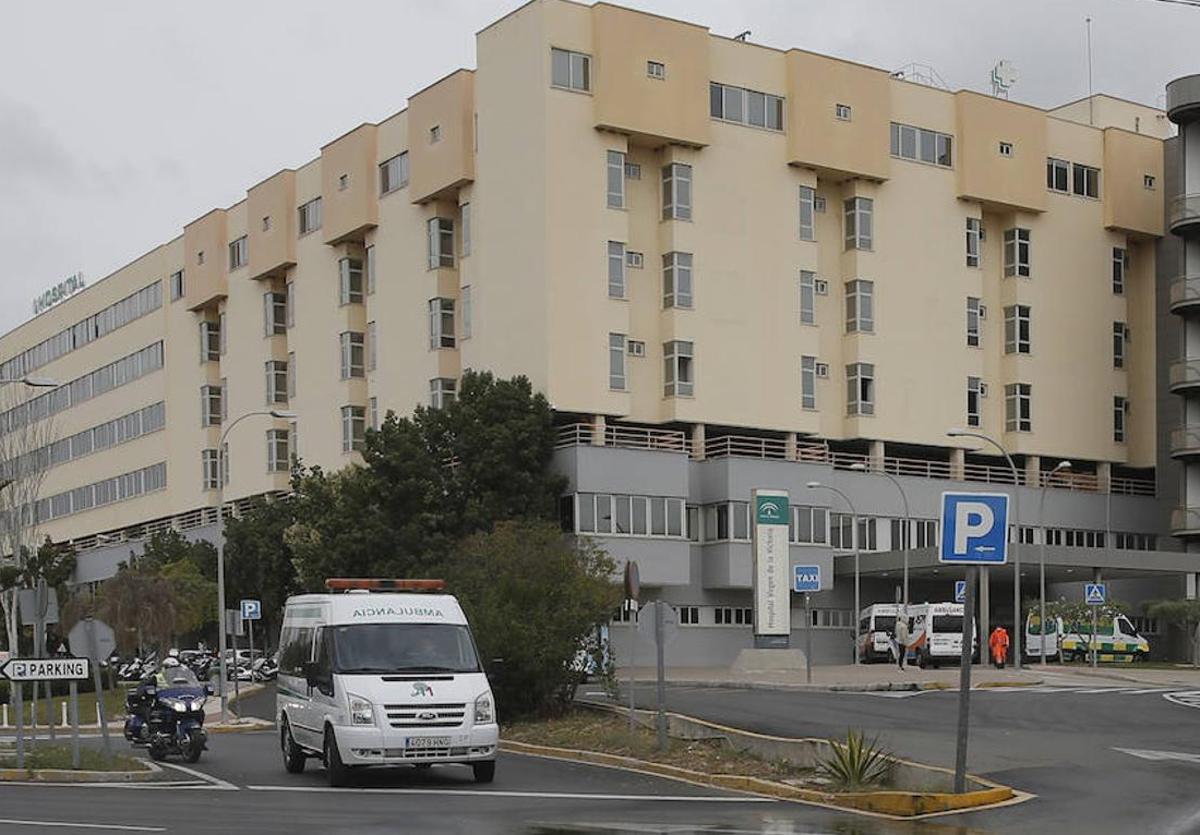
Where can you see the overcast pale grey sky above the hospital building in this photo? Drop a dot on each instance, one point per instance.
(122, 122)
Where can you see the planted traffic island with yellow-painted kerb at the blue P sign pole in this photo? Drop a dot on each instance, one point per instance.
(712, 755)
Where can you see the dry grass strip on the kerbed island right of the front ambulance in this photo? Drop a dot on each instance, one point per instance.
(609, 734)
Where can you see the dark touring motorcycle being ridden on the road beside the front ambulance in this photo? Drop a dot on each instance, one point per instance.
(169, 719)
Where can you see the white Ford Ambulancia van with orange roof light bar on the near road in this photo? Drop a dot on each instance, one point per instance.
(382, 674)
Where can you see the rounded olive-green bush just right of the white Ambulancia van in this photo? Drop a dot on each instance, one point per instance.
(536, 599)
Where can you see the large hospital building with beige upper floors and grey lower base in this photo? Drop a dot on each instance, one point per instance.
(727, 266)
